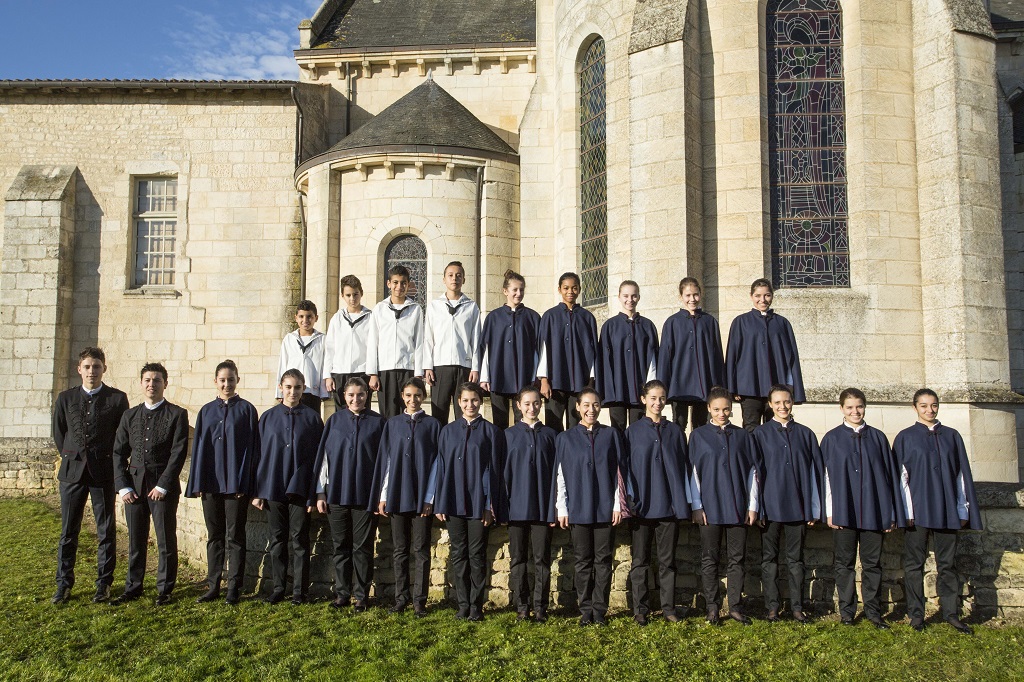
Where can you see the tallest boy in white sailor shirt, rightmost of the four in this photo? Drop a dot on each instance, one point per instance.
(452, 353)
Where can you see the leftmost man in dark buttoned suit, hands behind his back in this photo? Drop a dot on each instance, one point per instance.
(86, 419)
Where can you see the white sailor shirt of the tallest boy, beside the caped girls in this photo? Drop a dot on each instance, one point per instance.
(453, 333)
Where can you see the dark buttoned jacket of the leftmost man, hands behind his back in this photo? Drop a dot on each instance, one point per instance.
(83, 431)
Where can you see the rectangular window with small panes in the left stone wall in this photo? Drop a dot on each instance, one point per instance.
(156, 219)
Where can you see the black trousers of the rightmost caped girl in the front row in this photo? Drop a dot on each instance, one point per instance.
(948, 583)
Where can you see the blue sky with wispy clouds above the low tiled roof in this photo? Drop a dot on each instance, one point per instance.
(188, 39)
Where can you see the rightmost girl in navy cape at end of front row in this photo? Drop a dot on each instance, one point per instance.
(940, 500)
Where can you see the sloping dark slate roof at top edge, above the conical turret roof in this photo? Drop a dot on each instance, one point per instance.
(376, 24)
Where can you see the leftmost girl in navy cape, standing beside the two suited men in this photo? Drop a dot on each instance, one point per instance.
(226, 450)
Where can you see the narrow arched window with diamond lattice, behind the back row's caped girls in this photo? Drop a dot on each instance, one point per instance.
(593, 179)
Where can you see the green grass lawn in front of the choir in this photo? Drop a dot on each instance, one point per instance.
(186, 641)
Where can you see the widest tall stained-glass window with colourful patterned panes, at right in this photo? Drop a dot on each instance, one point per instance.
(807, 144)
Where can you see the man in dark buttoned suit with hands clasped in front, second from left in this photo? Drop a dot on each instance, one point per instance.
(149, 454)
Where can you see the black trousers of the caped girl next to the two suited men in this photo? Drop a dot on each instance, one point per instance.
(226, 526)
